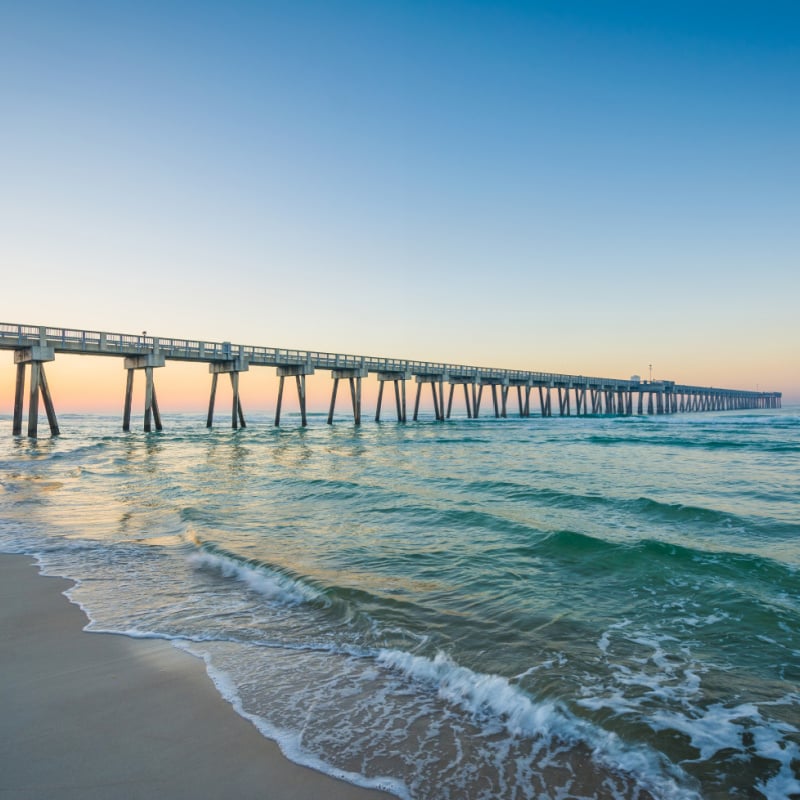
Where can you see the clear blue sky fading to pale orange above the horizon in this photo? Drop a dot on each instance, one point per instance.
(580, 187)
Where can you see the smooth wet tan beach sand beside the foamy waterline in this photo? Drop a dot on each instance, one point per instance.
(85, 715)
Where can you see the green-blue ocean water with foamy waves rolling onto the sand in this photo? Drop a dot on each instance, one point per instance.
(515, 608)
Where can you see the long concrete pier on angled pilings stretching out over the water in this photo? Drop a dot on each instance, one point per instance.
(34, 346)
